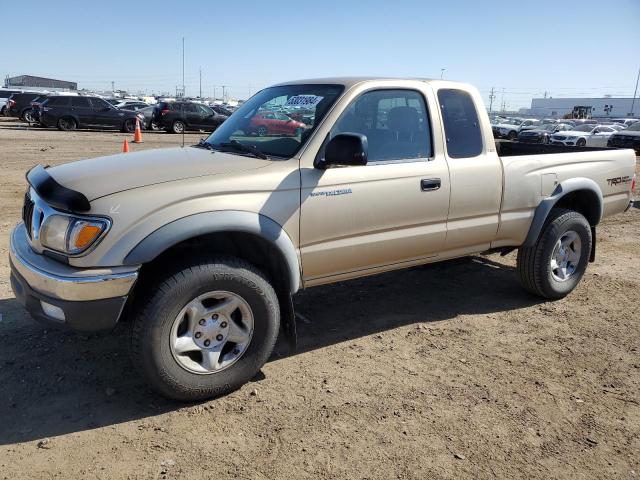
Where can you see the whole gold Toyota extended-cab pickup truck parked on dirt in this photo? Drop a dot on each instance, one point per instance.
(201, 248)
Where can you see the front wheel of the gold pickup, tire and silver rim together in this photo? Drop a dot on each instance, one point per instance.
(206, 329)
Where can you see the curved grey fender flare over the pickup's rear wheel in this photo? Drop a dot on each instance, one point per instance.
(565, 187)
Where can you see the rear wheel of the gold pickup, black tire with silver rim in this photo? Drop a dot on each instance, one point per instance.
(535, 265)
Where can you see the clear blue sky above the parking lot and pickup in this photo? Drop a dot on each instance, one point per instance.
(568, 47)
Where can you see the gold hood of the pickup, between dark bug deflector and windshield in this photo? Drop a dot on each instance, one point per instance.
(97, 177)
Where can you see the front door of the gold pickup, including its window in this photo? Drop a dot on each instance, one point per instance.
(391, 211)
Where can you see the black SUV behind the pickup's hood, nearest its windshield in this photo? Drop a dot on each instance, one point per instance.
(177, 117)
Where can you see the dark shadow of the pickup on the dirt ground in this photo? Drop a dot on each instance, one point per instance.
(54, 382)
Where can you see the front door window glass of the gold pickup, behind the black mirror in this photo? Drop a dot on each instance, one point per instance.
(395, 123)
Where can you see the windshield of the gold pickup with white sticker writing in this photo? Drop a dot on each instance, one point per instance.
(277, 120)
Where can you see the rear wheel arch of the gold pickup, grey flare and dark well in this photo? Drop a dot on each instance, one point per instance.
(582, 195)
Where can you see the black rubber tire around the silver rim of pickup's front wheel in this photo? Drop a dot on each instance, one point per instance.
(154, 329)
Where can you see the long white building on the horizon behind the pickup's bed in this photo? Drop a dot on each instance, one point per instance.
(601, 107)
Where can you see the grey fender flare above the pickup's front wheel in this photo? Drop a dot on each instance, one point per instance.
(254, 237)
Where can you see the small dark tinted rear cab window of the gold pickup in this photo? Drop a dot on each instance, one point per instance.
(461, 125)
